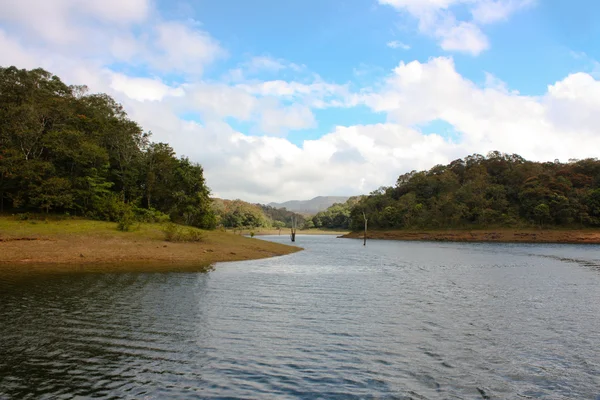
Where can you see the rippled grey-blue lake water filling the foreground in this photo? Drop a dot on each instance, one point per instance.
(392, 320)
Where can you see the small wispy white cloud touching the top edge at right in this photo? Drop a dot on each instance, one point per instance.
(437, 19)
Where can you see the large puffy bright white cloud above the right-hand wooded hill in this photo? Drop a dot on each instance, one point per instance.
(555, 125)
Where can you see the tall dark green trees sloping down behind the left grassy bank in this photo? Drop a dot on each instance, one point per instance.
(67, 151)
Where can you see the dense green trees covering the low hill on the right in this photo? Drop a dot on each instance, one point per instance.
(481, 191)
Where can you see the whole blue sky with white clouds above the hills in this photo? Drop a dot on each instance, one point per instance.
(282, 100)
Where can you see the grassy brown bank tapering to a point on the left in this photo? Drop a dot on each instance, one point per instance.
(85, 244)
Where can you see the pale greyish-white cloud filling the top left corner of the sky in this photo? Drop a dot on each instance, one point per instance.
(117, 30)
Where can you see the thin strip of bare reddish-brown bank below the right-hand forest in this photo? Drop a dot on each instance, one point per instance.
(583, 236)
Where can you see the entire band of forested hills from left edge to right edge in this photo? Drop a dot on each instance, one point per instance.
(66, 151)
